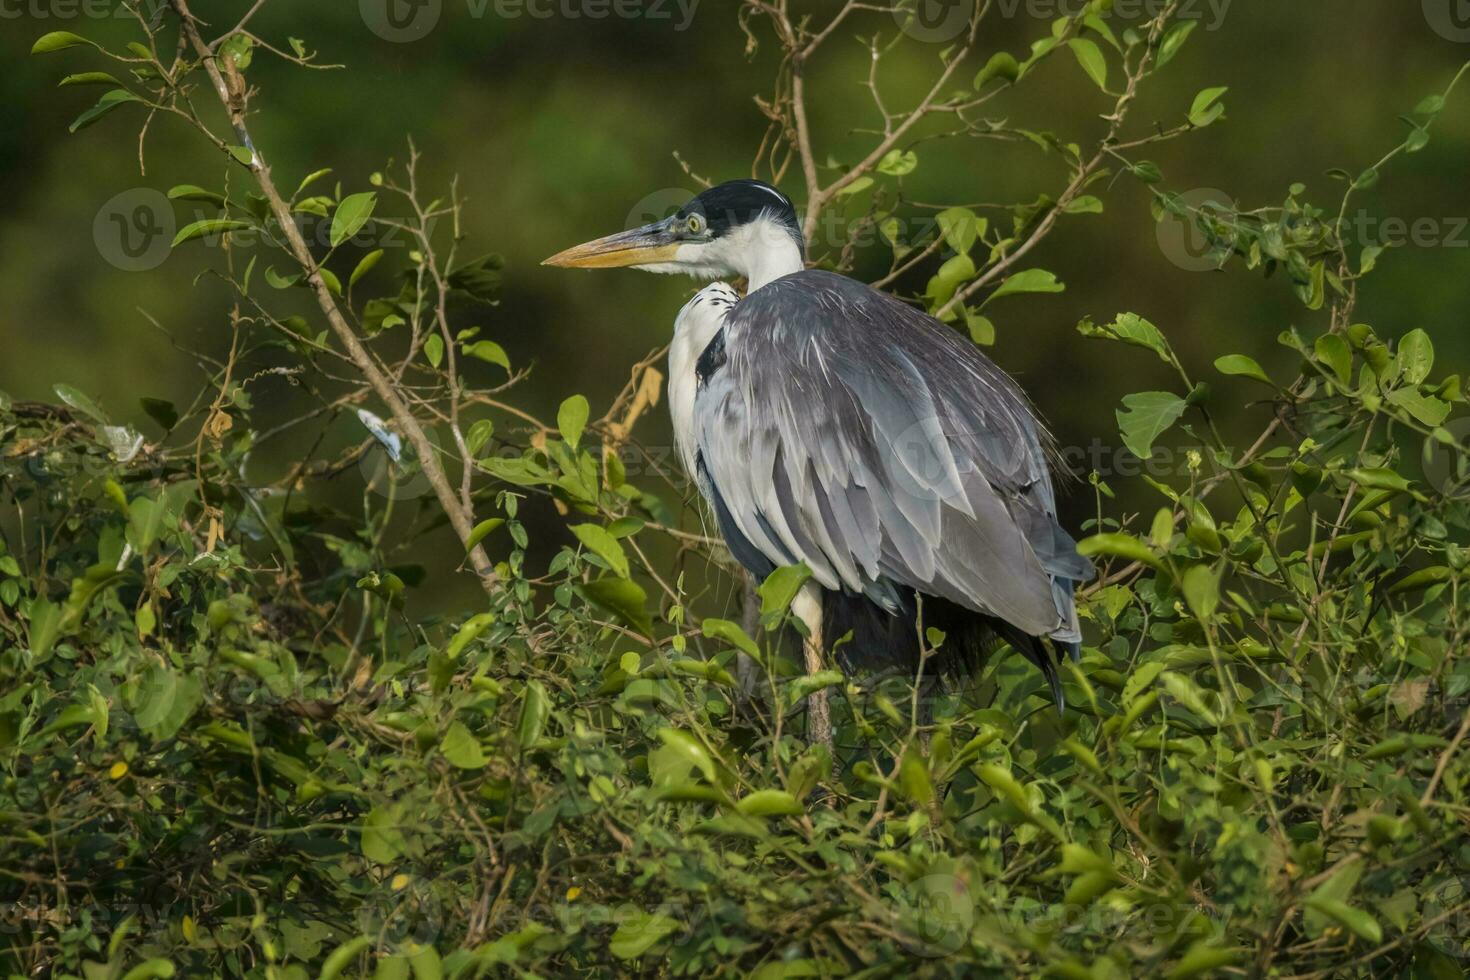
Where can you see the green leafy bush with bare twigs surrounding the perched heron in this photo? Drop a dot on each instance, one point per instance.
(233, 744)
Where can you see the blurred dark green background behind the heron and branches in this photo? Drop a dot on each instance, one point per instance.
(559, 126)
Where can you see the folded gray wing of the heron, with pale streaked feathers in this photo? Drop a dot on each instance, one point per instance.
(865, 439)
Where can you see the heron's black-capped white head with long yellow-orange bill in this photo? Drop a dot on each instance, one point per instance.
(740, 228)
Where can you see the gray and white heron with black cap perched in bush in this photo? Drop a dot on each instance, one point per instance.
(830, 424)
